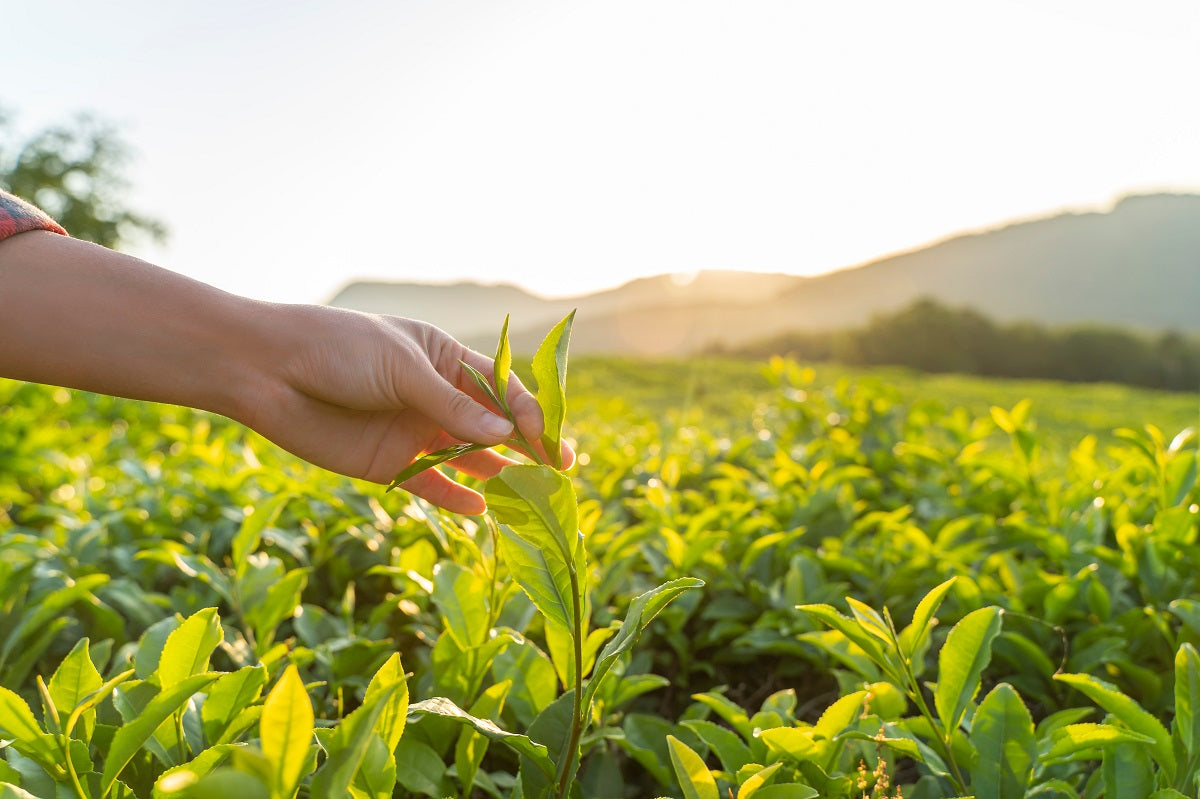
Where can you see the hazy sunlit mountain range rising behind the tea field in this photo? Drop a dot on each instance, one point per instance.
(1137, 266)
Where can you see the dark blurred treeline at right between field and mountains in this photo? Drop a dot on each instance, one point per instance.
(935, 339)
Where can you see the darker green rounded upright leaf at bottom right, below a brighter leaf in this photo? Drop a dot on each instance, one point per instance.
(1003, 734)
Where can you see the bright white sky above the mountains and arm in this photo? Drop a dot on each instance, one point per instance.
(295, 146)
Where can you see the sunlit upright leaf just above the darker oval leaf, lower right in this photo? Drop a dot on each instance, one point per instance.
(962, 662)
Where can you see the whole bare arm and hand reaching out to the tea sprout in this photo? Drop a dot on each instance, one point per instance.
(357, 394)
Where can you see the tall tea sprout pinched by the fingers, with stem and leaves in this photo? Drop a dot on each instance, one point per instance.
(538, 514)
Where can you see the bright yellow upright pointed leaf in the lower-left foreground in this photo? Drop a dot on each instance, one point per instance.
(286, 732)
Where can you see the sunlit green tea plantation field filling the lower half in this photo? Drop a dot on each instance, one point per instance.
(790, 584)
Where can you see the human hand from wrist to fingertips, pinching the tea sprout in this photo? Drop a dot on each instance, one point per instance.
(365, 395)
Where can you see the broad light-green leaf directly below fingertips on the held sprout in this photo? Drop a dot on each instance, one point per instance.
(539, 536)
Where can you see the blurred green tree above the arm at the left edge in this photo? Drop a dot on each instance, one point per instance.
(75, 173)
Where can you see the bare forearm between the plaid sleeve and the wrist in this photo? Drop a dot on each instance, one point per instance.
(85, 317)
